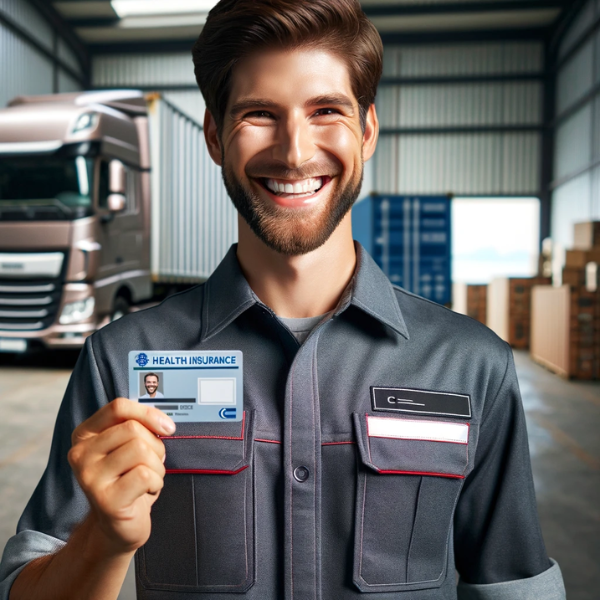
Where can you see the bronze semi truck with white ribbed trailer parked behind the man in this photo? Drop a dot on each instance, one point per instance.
(108, 200)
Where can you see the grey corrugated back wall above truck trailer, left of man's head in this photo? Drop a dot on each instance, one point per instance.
(172, 74)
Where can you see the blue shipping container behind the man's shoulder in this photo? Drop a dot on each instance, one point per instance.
(409, 238)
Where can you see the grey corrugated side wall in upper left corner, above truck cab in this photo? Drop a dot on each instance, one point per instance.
(24, 69)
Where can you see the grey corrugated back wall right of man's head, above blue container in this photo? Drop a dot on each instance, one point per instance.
(452, 120)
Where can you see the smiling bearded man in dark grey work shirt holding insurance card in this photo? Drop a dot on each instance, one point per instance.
(383, 443)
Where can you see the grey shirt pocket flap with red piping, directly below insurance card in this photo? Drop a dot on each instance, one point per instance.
(210, 448)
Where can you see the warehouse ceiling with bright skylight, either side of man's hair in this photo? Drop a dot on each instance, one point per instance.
(102, 24)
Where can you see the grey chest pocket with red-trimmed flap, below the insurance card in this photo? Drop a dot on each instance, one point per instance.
(202, 538)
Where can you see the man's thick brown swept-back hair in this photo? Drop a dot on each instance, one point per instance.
(236, 28)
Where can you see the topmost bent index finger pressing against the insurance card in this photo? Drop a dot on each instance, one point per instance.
(120, 410)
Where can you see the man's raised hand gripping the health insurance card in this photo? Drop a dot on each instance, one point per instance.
(118, 460)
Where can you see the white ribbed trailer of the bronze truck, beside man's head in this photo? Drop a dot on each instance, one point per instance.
(197, 223)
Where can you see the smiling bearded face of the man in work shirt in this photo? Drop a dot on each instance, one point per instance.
(291, 146)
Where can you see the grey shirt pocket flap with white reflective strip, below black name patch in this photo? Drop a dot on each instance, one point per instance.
(391, 445)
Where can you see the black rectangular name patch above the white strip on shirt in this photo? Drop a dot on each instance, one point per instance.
(423, 402)
